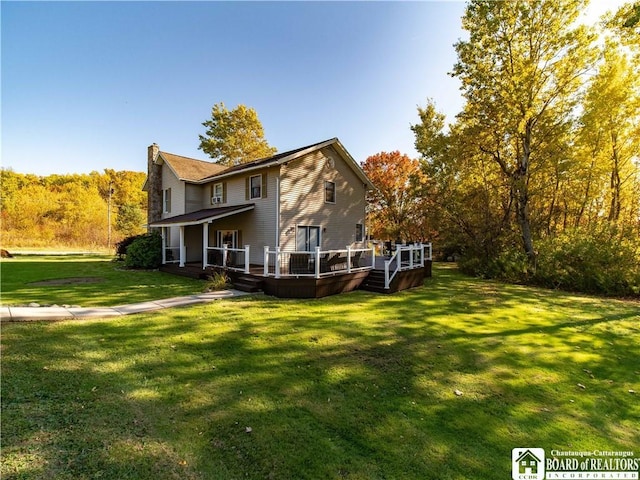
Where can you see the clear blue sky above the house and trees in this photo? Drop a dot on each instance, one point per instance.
(89, 85)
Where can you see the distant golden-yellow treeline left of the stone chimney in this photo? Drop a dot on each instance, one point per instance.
(93, 210)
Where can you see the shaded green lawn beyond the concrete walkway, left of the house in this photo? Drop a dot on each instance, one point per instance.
(112, 285)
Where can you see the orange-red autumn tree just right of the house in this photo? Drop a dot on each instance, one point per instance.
(396, 202)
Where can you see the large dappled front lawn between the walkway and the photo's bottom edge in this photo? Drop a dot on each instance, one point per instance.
(356, 386)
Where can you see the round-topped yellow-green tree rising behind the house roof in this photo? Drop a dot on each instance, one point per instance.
(234, 136)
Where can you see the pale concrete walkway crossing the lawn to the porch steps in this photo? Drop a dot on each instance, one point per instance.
(29, 314)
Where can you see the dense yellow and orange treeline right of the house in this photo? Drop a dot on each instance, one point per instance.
(537, 180)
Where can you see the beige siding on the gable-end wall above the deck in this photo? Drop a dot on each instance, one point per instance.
(303, 202)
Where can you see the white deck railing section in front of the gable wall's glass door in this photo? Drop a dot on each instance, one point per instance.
(316, 264)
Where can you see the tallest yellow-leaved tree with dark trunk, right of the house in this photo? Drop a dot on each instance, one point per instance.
(521, 71)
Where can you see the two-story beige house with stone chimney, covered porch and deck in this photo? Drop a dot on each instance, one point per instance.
(295, 215)
